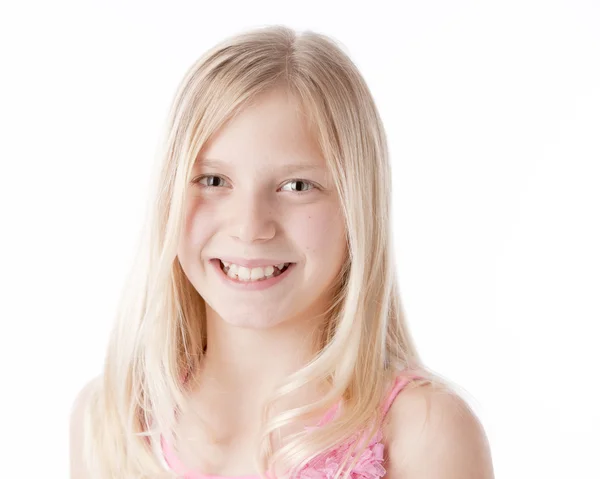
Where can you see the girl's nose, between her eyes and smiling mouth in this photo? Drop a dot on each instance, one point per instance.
(252, 218)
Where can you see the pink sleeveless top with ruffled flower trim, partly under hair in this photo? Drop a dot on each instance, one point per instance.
(369, 466)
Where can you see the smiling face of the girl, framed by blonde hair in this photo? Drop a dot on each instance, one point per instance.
(260, 190)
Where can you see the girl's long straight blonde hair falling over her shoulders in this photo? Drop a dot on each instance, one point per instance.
(159, 335)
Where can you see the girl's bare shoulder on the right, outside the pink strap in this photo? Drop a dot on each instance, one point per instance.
(433, 433)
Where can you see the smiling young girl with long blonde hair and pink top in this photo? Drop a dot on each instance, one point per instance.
(261, 333)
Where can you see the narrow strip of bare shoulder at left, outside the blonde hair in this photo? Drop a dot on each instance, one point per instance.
(76, 428)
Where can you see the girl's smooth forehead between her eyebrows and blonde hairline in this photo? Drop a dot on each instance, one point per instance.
(273, 129)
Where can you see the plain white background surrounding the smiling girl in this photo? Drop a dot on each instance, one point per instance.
(492, 109)
